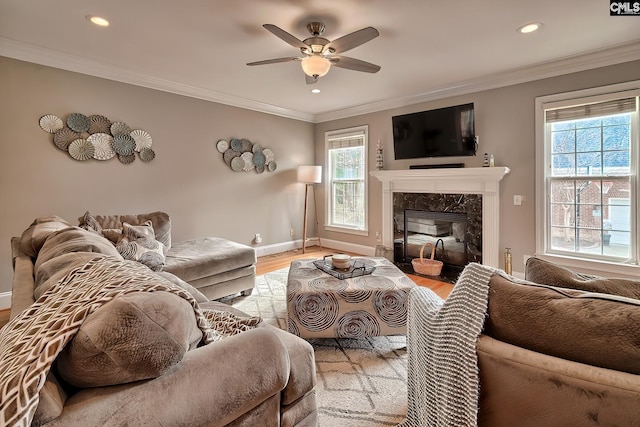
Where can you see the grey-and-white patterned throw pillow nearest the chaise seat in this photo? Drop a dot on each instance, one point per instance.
(138, 243)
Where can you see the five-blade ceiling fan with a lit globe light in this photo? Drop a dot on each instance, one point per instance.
(319, 53)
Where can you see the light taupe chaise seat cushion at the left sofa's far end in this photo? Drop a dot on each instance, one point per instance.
(194, 259)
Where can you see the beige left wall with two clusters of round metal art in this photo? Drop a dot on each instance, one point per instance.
(188, 179)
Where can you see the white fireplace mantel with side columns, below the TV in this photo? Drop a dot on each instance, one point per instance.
(484, 181)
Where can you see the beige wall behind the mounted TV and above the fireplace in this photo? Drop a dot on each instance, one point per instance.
(504, 120)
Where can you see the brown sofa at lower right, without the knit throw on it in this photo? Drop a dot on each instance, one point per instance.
(560, 349)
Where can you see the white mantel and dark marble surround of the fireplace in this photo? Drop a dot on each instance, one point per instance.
(479, 188)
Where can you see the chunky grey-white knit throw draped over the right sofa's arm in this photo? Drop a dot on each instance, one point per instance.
(443, 381)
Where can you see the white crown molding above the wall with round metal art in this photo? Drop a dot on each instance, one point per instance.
(30, 53)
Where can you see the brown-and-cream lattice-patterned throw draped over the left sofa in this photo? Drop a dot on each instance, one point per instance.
(30, 342)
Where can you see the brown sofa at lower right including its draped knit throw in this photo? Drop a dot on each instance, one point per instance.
(559, 349)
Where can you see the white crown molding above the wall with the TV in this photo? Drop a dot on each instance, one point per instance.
(595, 59)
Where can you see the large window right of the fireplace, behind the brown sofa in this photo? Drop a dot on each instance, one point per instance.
(587, 153)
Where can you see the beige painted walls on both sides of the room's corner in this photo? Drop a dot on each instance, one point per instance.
(189, 180)
